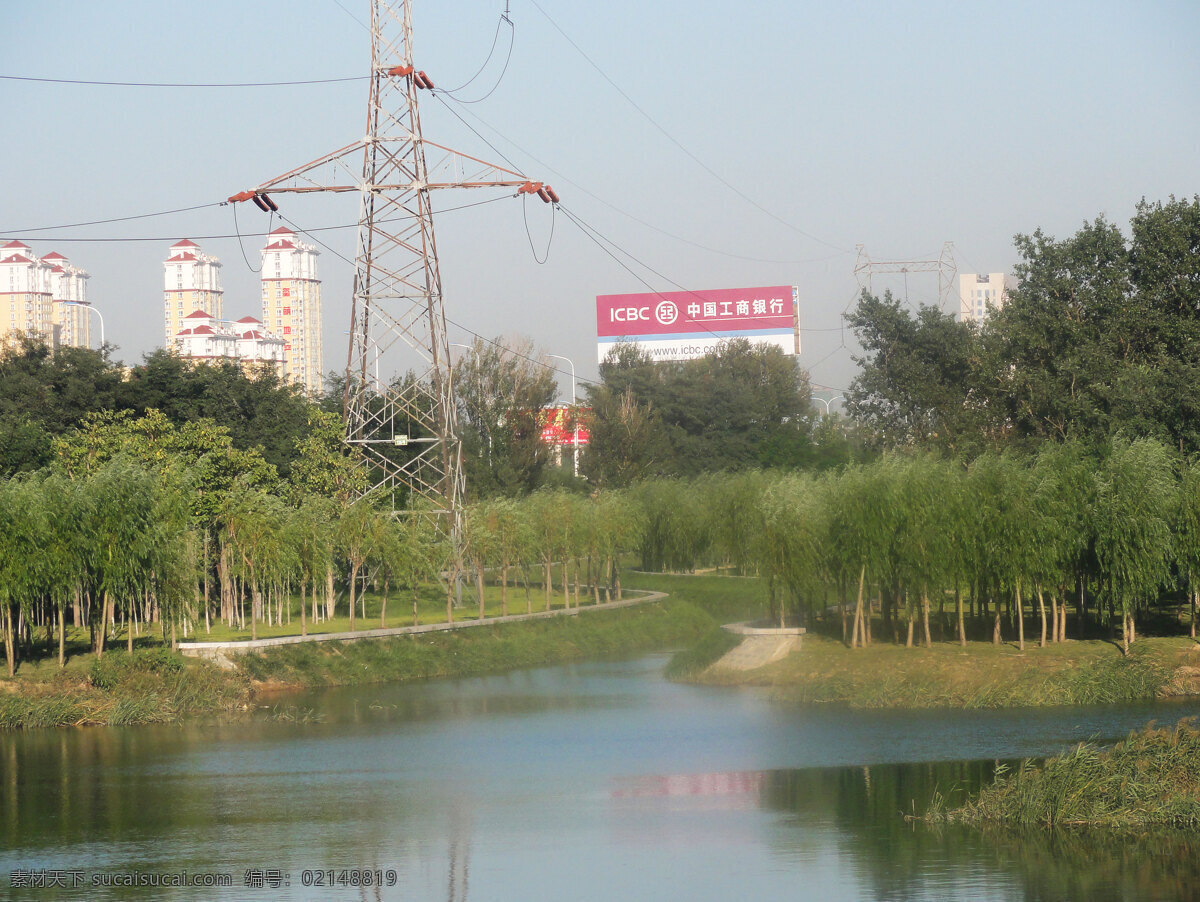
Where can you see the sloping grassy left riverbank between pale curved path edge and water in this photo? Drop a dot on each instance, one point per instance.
(157, 685)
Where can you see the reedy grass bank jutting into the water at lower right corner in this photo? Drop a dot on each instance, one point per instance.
(1153, 779)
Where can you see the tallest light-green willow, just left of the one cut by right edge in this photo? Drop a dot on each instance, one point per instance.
(1135, 492)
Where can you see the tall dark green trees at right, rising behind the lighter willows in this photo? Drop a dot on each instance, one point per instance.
(1101, 338)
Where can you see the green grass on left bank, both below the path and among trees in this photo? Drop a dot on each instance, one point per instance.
(157, 685)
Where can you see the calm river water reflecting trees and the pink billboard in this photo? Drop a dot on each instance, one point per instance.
(597, 781)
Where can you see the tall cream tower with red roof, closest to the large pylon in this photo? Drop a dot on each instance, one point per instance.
(292, 306)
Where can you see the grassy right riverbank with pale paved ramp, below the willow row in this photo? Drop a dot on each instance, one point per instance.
(980, 676)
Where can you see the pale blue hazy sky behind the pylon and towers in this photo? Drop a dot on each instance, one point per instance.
(718, 146)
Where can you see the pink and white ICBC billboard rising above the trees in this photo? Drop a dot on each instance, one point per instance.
(682, 326)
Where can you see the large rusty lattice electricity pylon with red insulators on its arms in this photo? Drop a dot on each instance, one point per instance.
(407, 430)
